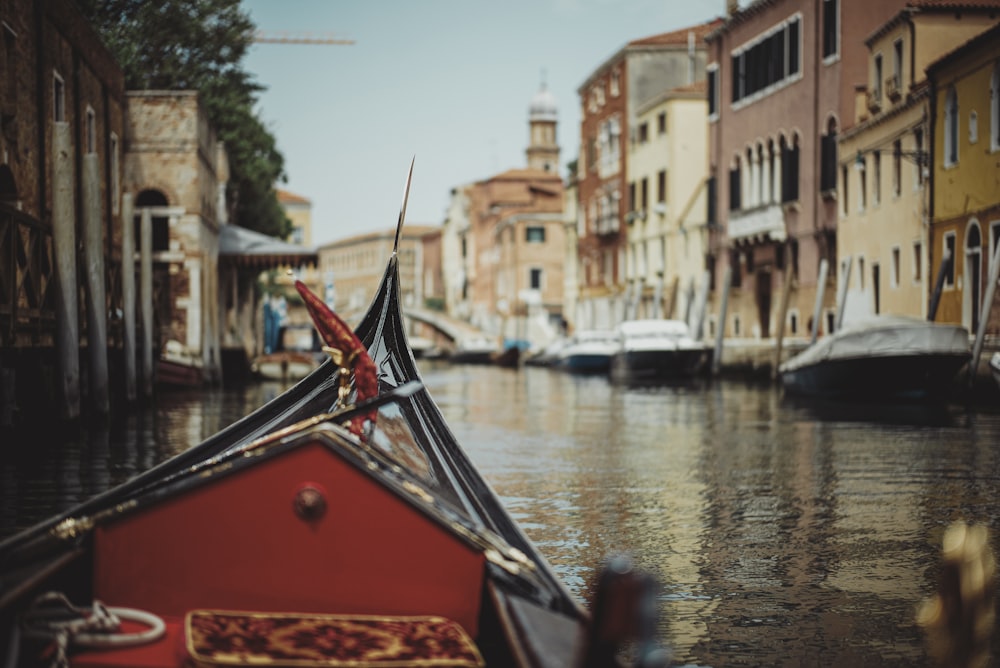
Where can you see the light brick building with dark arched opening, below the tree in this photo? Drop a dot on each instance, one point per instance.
(177, 171)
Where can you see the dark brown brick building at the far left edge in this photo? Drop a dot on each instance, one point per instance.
(62, 112)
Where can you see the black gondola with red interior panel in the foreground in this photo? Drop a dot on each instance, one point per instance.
(340, 524)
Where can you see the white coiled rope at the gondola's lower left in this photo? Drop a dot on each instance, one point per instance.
(52, 617)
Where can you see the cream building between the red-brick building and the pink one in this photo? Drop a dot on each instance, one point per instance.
(666, 170)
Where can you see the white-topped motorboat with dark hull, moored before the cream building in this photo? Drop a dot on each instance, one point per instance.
(656, 350)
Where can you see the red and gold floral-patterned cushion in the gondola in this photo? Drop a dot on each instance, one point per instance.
(221, 638)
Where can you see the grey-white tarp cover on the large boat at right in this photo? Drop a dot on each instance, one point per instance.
(884, 336)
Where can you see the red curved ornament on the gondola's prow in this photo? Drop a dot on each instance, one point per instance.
(338, 335)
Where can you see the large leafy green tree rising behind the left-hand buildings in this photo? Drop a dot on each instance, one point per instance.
(199, 45)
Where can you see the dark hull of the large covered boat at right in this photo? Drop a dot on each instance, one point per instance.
(889, 377)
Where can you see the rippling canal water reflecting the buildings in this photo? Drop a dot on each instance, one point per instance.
(780, 532)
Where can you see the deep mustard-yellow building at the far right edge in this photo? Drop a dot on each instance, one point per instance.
(965, 116)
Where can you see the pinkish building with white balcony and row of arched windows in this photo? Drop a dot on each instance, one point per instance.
(781, 78)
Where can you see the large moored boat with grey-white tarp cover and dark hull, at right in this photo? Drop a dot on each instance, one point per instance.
(882, 357)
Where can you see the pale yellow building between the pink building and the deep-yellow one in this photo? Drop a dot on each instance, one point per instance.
(883, 196)
